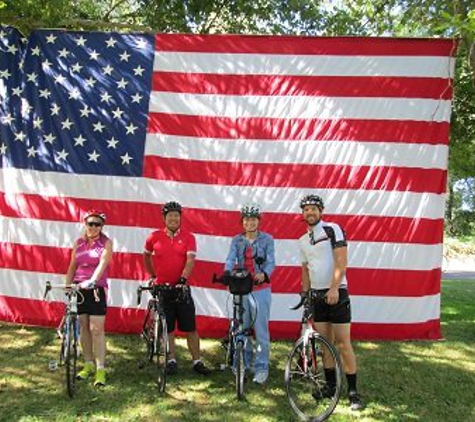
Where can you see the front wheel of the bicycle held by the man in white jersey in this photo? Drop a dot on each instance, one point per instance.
(309, 396)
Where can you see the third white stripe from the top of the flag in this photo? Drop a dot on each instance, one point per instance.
(298, 152)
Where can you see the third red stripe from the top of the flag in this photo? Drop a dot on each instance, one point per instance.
(432, 133)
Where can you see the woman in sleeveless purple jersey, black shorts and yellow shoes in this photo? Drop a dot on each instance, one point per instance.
(90, 258)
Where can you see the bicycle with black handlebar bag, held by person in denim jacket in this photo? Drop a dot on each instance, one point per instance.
(240, 284)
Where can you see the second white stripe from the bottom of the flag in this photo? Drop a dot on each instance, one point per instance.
(215, 248)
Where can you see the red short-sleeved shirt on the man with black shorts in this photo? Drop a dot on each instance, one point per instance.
(169, 253)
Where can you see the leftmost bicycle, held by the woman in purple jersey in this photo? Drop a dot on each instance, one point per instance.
(70, 334)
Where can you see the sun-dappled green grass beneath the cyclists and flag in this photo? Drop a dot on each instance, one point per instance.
(404, 381)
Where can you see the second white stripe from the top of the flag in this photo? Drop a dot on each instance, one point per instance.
(287, 107)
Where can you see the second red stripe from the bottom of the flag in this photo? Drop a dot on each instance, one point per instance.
(129, 266)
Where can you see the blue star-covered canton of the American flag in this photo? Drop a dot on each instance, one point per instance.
(74, 102)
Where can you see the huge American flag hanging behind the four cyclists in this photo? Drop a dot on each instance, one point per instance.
(126, 122)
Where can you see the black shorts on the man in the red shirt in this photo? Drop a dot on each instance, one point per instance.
(181, 313)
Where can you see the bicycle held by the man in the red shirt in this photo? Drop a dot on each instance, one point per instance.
(154, 329)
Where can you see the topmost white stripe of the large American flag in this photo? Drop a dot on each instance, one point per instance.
(308, 65)
